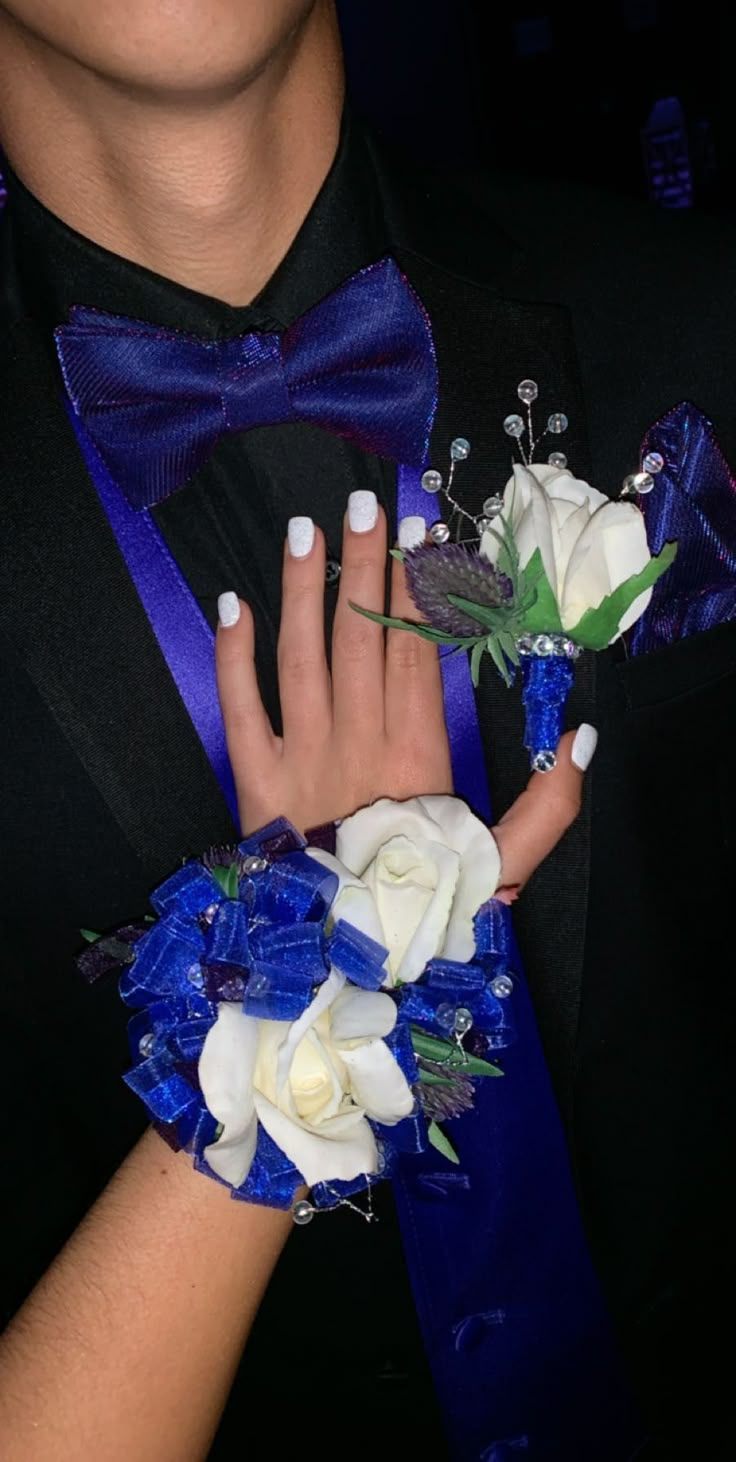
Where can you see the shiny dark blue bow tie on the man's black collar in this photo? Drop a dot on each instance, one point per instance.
(154, 403)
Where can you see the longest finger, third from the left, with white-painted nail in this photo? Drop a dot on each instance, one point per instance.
(358, 644)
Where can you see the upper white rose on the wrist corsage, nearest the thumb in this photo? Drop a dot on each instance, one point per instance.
(413, 876)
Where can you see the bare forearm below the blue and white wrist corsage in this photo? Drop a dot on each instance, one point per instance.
(128, 1346)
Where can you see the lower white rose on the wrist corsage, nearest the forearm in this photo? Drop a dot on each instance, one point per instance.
(312, 1084)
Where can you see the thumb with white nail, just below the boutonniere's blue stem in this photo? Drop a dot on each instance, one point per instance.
(545, 811)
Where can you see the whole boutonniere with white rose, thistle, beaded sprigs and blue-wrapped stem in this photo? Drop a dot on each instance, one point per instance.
(547, 571)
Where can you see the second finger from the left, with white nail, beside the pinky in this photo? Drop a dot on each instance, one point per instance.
(304, 678)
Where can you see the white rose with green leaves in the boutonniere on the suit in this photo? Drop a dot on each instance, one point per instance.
(587, 553)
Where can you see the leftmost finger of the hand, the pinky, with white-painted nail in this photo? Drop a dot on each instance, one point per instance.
(251, 742)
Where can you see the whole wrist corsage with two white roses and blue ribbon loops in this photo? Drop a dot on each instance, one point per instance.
(307, 1014)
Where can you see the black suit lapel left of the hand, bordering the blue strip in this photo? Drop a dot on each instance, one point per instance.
(72, 615)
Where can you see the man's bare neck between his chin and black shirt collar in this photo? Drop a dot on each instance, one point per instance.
(206, 192)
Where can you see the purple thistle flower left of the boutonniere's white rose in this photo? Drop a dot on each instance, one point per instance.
(432, 574)
